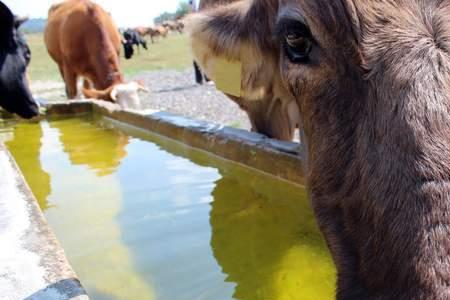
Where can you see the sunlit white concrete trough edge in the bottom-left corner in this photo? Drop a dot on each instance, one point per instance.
(33, 264)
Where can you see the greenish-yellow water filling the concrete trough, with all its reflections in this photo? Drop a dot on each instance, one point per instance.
(142, 217)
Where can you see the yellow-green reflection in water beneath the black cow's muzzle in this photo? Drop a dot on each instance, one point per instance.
(25, 146)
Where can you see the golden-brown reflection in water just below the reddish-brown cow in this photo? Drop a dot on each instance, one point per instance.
(100, 149)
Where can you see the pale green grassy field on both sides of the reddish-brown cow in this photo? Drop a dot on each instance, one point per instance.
(170, 53)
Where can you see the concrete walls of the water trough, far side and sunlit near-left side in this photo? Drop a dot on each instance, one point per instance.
(33, 264)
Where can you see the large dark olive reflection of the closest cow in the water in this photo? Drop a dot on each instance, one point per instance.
(269, 245)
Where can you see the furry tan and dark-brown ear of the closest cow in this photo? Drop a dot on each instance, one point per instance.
(240, 33)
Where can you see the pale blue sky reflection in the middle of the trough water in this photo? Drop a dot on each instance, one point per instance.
(164, 223)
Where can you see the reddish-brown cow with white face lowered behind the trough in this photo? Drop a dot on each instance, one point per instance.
(84, 41)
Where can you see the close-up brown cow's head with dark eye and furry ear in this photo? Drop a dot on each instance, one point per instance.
(371, 79)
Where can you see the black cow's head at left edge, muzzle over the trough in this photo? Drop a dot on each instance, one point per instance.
(15, 95)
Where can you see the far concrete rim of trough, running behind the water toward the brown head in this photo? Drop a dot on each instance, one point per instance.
(281, 159)
